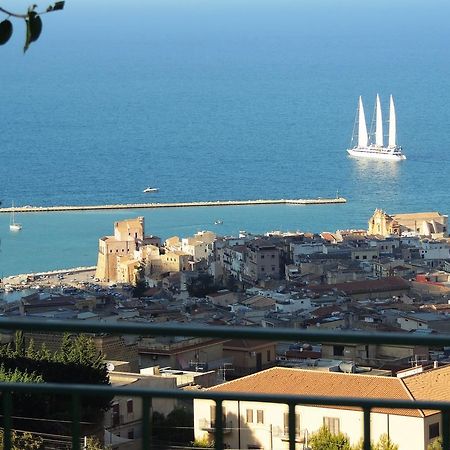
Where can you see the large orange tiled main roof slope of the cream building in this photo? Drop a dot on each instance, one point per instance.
(279, 380)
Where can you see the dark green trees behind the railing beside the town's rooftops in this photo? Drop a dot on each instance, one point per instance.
(77, 361)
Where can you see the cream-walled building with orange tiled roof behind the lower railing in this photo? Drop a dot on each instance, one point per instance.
(265, 426)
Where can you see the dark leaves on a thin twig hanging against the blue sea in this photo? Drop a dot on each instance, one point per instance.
(33, 23)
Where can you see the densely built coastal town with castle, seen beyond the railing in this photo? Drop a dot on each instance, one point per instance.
(393, 276)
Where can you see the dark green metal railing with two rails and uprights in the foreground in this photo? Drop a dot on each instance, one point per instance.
(78, 391)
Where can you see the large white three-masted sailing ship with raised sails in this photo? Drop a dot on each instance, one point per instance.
(375, 148)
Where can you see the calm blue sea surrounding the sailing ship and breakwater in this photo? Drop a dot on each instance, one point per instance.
(216, 100)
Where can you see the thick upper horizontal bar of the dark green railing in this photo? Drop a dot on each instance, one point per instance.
(281, 334)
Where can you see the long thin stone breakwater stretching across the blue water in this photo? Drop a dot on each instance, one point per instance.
(299, 201)
